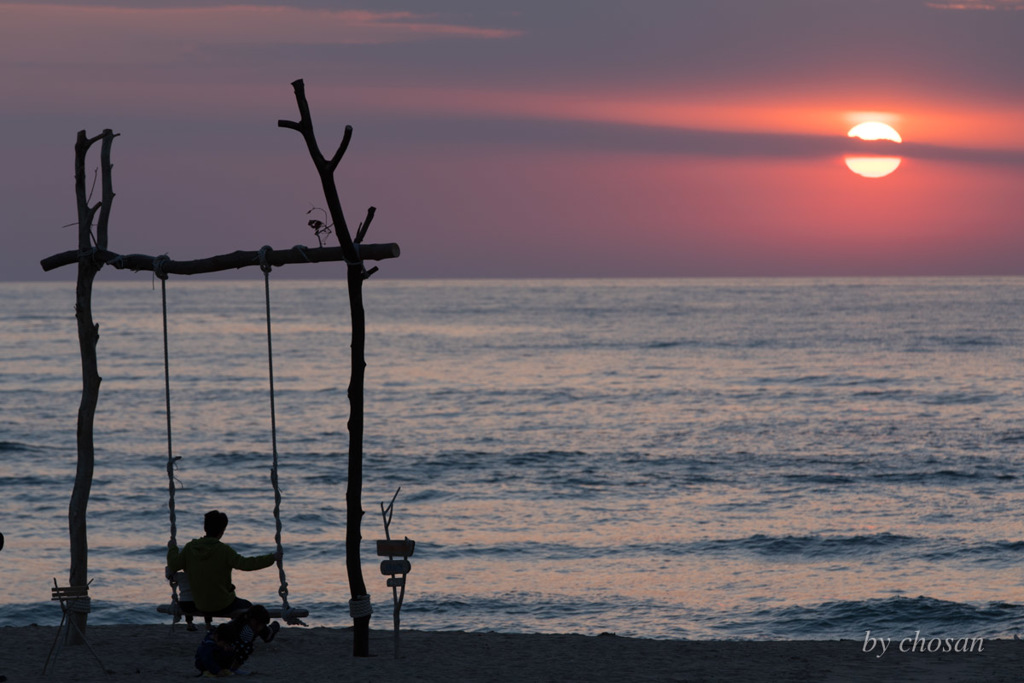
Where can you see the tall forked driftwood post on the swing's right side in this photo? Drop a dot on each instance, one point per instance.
(360, 604)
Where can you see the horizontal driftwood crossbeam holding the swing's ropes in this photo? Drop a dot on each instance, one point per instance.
(238, 260)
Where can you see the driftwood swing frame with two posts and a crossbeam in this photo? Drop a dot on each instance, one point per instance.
(94, 253)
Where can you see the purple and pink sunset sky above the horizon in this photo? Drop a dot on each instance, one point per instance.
(541, 139)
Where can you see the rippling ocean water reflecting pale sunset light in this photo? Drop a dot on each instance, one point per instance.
(688, 459)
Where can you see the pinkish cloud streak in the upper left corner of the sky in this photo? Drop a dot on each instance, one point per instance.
(62, 33)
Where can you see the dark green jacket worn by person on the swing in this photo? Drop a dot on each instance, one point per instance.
(208, 564)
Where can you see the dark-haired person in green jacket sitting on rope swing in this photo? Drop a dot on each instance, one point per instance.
(208, 564)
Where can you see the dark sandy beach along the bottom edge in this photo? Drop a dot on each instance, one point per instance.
(161, 654)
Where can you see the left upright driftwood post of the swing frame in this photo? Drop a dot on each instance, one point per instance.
(89, 336)
